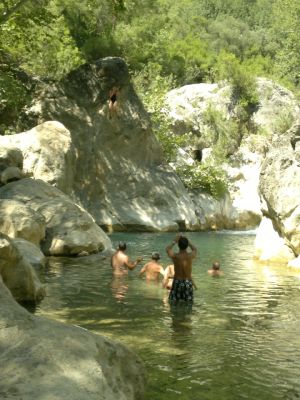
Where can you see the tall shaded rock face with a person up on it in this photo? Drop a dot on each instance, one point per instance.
(118, 173)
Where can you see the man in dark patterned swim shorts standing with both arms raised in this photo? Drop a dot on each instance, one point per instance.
(182, 286)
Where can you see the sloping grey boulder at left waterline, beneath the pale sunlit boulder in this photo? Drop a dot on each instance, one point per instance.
(70, 230)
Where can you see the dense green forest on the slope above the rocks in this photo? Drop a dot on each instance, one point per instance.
(166, 44)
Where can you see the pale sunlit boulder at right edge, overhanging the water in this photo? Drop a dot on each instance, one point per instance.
(280, 186)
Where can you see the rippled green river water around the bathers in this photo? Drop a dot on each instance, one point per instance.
(240, 340)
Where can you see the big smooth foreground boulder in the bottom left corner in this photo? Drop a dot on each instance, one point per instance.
(43, 359)
